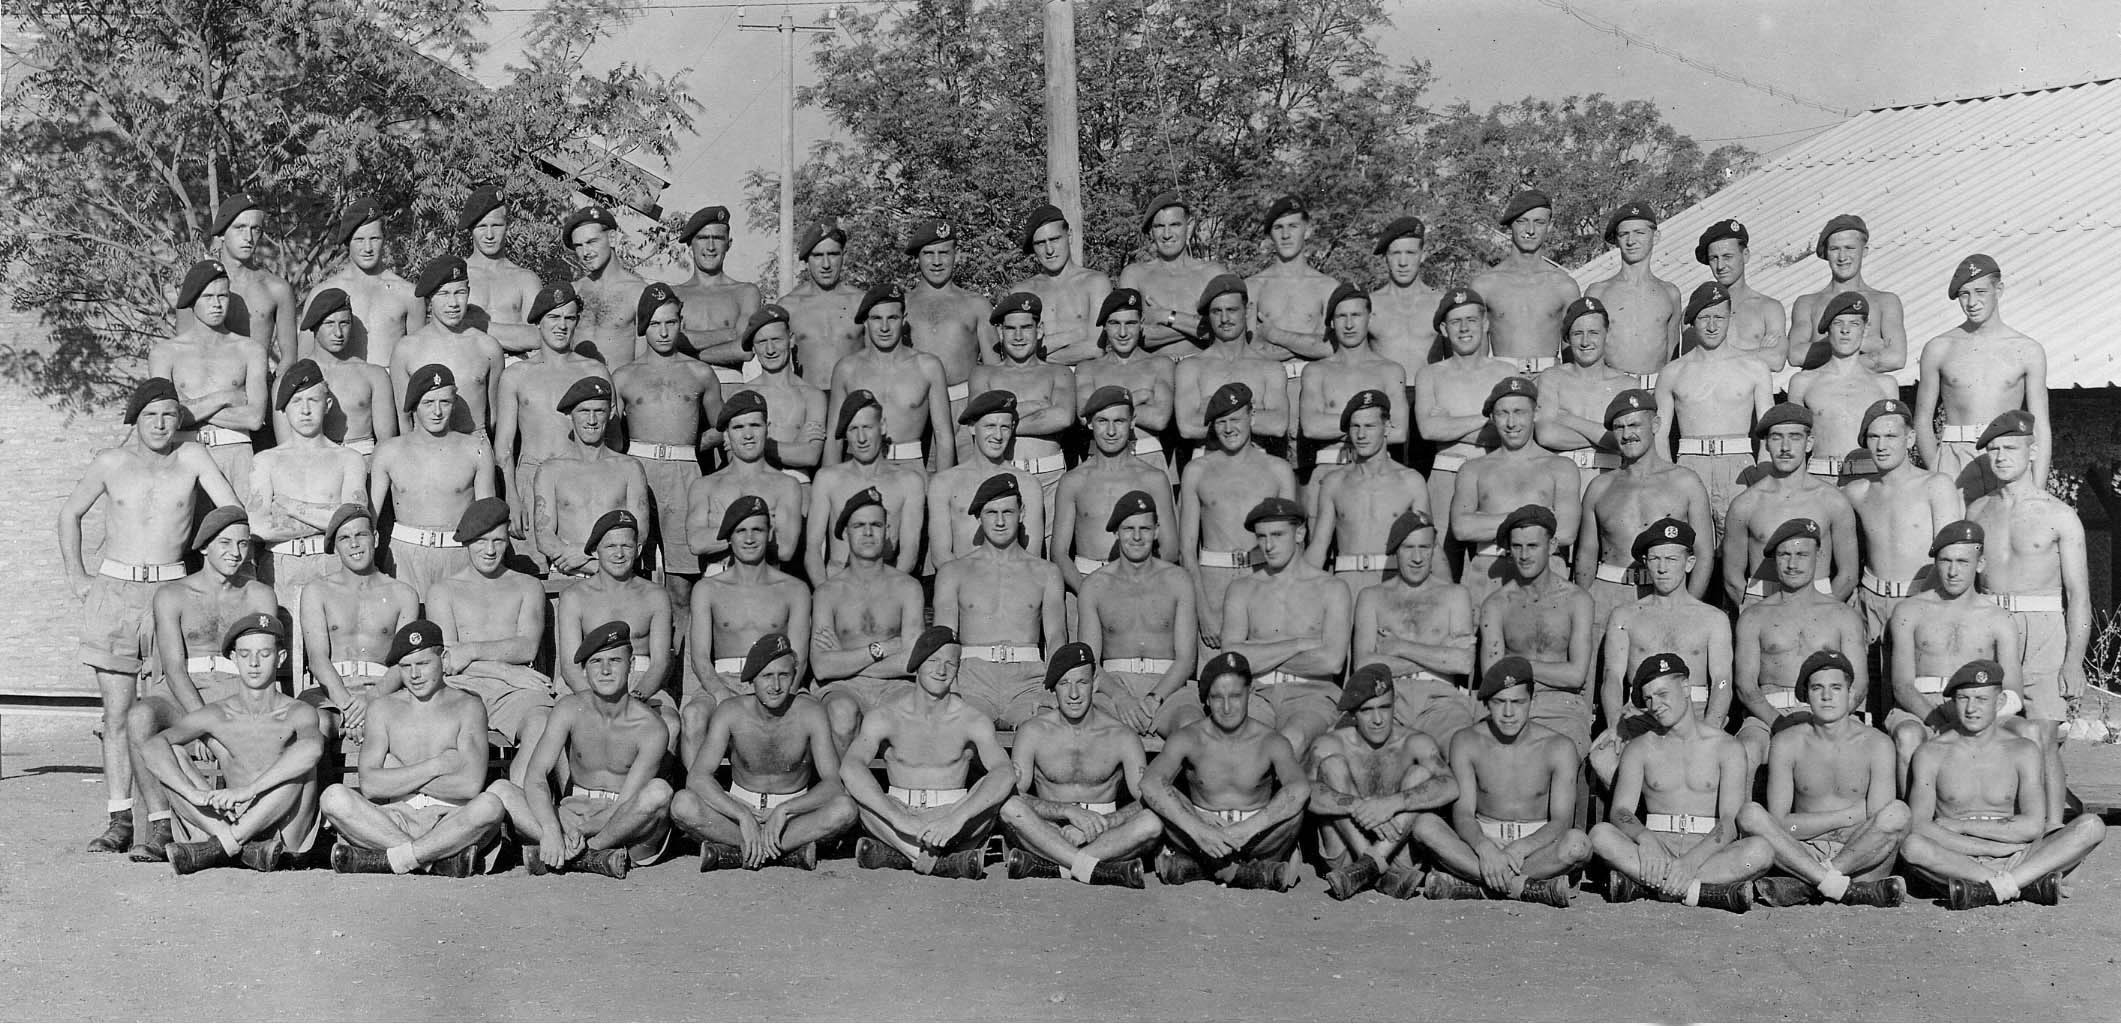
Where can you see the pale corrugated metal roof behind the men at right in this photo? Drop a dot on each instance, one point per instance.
(2022, 177)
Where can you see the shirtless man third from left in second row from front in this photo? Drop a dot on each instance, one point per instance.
(493, 622)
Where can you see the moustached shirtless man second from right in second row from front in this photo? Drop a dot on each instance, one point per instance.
(1781, 631)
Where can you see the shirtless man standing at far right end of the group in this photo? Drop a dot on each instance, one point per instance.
(2035, 569)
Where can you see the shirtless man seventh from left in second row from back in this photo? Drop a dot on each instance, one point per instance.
(905, 383)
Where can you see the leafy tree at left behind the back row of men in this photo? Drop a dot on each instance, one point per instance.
(137, 118)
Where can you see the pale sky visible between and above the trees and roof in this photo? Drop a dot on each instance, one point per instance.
(1829, 52)
